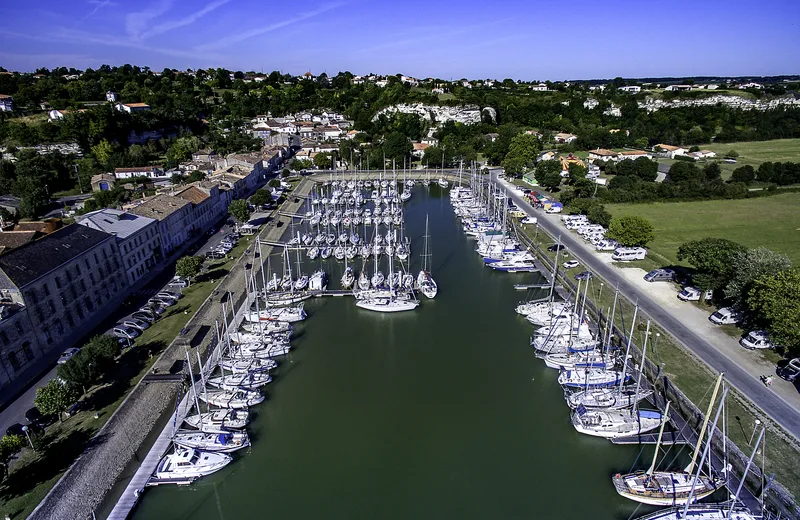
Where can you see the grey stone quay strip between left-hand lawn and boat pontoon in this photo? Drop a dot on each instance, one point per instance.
(84, 486)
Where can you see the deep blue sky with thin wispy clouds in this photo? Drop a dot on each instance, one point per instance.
(533, 39)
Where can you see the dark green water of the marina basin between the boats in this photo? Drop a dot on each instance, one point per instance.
(443, 412)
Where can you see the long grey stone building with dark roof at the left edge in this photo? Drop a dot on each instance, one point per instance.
(53, 290)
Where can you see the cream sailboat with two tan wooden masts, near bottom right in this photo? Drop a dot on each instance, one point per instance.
(665, 488)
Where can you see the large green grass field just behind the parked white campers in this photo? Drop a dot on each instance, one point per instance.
(772, 222)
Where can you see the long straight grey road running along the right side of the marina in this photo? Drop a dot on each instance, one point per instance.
(781, 411)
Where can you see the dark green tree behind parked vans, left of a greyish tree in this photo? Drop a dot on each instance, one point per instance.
(713, 260)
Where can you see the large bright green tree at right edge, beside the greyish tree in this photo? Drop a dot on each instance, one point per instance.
(775, 300)
